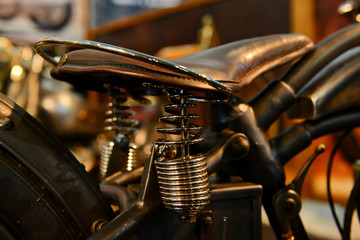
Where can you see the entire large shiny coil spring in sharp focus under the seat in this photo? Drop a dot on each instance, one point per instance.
(183, 180)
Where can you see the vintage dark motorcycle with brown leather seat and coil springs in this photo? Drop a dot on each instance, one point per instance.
(194, 184)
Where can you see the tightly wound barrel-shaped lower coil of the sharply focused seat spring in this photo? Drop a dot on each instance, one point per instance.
(184, 185)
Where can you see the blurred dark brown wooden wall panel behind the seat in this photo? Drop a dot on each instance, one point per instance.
(234, 20)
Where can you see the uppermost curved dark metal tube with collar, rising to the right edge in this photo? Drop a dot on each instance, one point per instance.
(277, 97)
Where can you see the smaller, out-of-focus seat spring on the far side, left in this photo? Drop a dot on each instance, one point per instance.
(119, 130)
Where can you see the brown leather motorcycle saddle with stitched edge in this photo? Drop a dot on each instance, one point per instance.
(216, 72)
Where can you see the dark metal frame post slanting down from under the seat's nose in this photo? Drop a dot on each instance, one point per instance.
(259, 165)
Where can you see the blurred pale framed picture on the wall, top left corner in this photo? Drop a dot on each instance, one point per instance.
(23, 20)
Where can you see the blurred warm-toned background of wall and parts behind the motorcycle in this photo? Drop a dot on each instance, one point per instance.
(166, 28)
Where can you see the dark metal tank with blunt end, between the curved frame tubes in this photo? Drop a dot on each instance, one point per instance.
(334, 88)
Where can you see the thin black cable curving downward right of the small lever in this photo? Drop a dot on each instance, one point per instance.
(329, 167)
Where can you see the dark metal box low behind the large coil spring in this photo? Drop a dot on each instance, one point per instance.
(235, 212)
